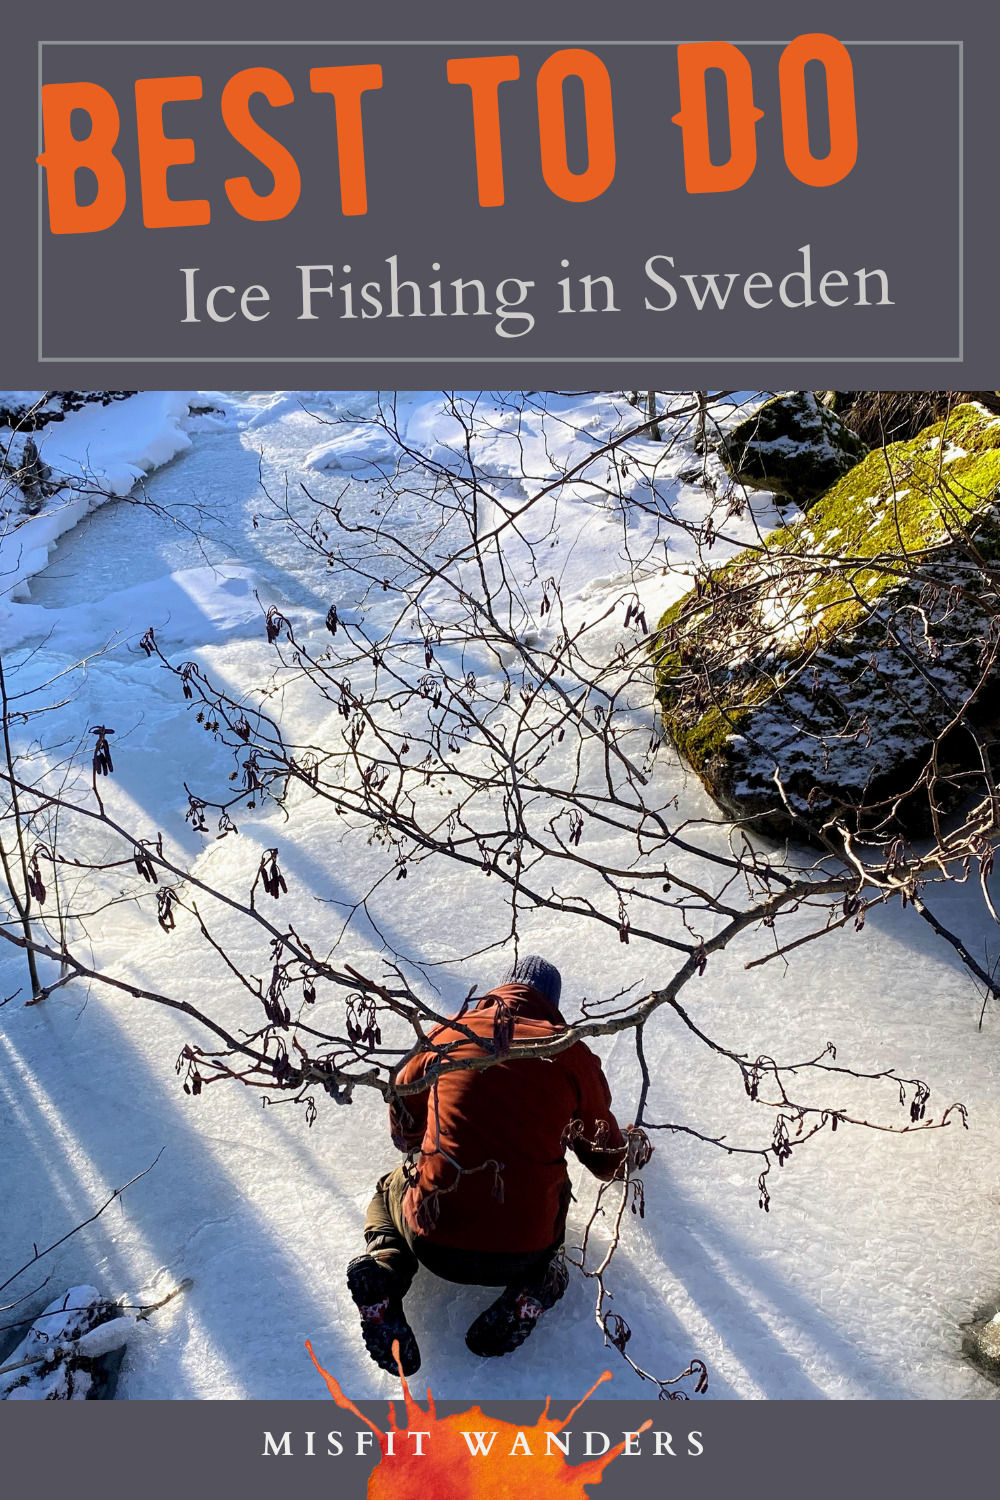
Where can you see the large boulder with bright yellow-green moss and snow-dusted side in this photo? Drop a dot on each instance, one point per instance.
(807, 680)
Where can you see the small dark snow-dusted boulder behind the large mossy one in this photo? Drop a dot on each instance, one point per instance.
(792, 446)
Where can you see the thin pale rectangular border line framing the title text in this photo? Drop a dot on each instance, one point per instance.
(512, 359)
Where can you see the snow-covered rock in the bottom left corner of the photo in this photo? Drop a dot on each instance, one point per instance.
(71, 1333)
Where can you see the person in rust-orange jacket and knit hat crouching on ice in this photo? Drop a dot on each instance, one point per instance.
(501, 1220)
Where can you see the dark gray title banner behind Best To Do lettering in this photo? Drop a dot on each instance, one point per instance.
(795, 266)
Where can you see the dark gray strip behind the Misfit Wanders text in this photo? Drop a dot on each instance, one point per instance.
(220, 1448)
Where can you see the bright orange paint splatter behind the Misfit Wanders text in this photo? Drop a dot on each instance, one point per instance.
(473, 1457)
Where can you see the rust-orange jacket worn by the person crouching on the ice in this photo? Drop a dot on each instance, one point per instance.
(512, 1115)
